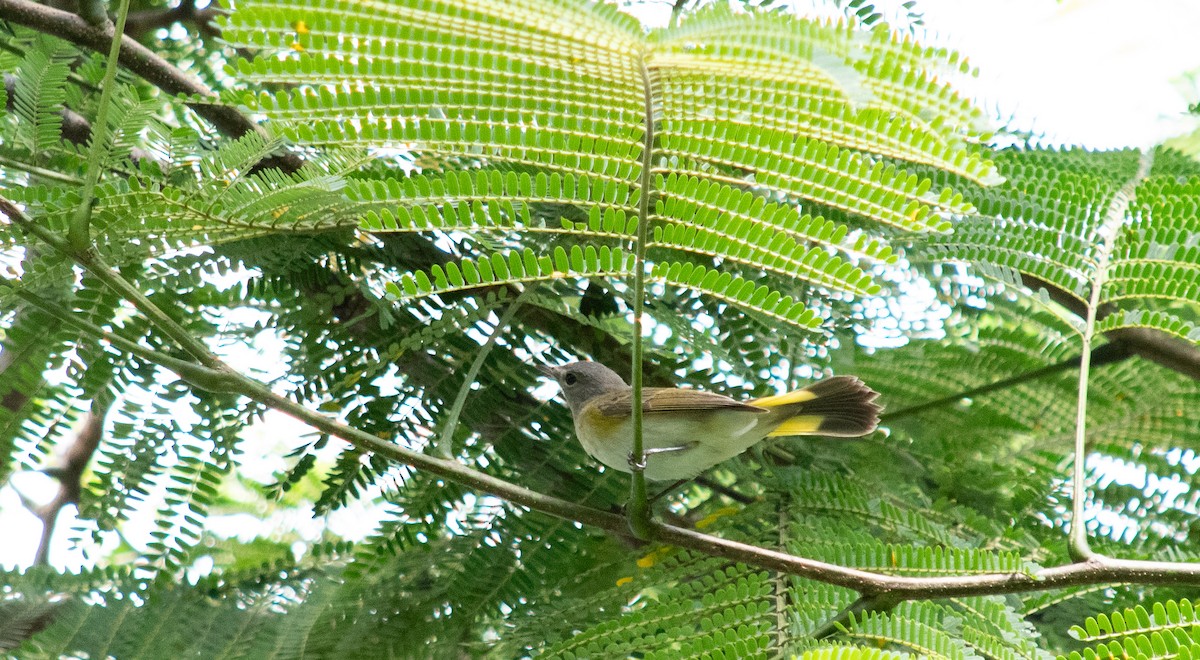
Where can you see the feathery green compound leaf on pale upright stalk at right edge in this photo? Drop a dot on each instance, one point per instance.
(1051, 209)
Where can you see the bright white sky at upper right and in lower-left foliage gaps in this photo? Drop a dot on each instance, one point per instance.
(1103, 74)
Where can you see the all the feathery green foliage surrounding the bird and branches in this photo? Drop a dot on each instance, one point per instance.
(813, 191)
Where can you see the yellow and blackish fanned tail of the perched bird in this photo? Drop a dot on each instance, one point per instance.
(839, 406)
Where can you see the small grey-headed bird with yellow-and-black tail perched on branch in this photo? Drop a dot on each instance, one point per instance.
(688, 431)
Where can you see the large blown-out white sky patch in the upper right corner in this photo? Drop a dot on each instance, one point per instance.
(1102, 74)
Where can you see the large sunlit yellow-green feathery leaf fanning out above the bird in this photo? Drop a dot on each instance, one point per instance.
(561, 123)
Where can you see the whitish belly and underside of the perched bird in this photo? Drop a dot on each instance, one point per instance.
(717, 441)
